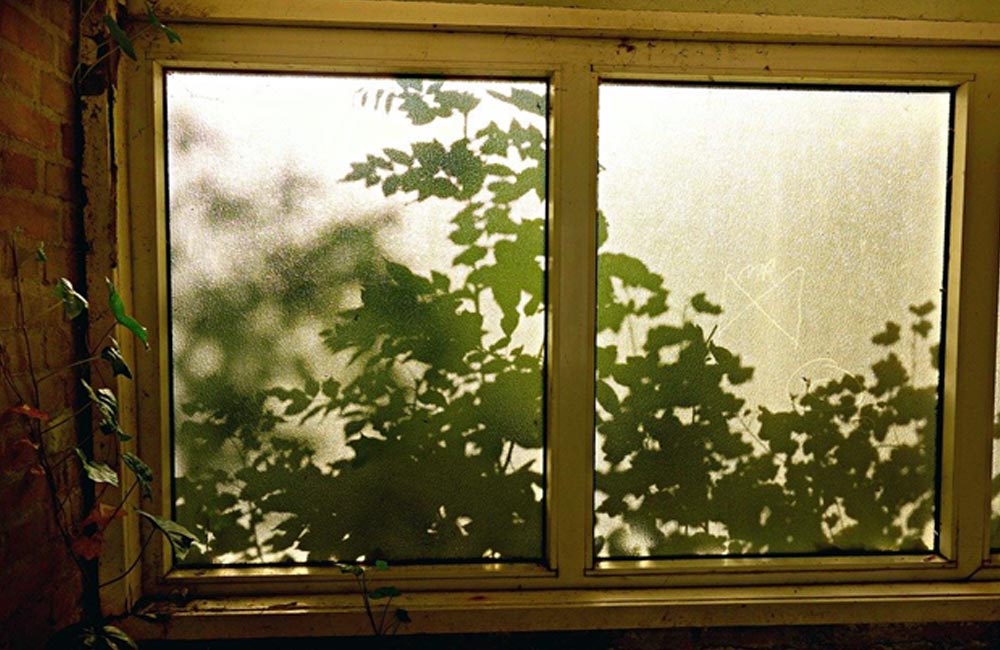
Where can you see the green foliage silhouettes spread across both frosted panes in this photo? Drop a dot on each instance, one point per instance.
(436, 407)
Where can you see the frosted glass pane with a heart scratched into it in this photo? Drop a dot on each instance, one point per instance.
(770, 281)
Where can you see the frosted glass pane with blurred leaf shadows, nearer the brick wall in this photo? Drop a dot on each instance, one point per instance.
(357, 316)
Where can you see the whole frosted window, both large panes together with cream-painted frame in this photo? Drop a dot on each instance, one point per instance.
(549, 318)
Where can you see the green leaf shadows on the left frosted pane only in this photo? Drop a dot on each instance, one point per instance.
(435, 393)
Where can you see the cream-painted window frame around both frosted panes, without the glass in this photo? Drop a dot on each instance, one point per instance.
(574, 50)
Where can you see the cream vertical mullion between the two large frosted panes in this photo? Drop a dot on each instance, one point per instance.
(572, 251)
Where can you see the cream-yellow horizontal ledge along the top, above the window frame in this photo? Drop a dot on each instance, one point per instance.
(586, 22)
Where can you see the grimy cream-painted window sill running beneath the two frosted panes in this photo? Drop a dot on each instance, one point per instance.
(533, 611)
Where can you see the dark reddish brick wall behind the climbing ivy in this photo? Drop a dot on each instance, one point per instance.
(39, 583)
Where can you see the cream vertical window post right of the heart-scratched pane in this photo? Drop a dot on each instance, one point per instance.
(966, 462)
